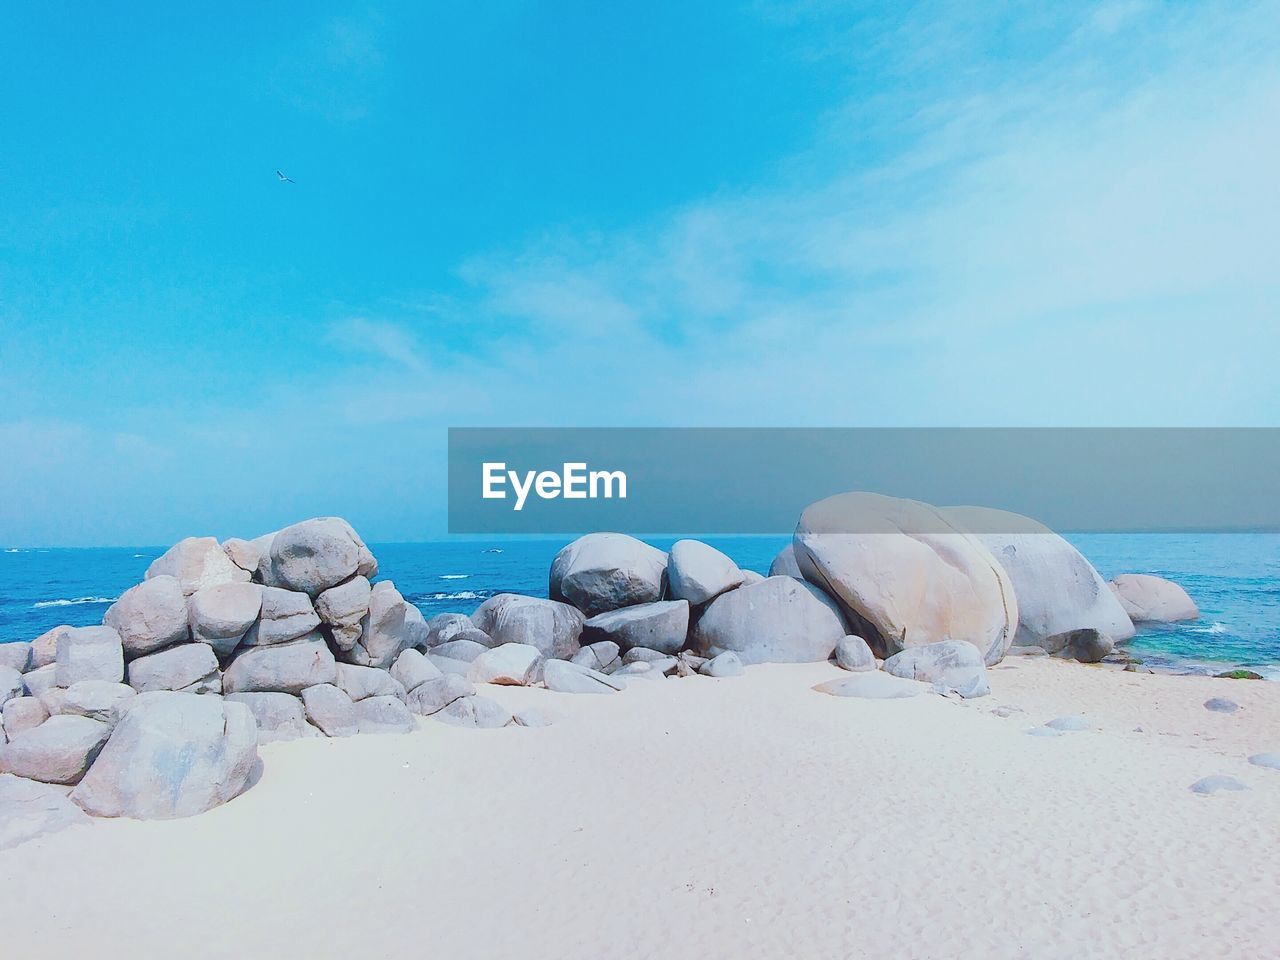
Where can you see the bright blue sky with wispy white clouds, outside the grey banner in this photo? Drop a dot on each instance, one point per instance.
(587, 214)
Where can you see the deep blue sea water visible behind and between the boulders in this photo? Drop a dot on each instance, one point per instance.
(1233, 578)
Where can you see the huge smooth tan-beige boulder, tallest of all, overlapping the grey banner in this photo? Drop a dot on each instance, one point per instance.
(906, 575)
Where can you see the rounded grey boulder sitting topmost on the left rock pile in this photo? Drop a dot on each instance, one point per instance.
(317, 555)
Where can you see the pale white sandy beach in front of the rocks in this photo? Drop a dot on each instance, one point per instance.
(703, 819)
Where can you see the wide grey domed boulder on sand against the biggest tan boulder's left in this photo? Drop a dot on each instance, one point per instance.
(780, 620)
